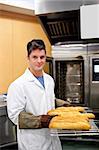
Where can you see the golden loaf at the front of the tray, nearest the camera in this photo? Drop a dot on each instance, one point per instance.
(59, 122)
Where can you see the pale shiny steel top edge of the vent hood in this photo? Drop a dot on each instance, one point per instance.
(50, 6)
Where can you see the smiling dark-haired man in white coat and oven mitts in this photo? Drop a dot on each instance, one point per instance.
(29, 99)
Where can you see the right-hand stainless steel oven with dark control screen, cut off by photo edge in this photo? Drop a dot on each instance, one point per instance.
(93, 57)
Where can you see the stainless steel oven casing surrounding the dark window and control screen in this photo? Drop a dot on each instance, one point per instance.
(89, 52)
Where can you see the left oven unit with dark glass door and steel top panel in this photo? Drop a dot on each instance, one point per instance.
(69, 71)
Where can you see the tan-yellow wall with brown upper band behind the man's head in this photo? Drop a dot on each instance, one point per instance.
(15, 31)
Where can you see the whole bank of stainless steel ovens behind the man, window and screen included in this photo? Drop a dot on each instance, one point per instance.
(76, 73)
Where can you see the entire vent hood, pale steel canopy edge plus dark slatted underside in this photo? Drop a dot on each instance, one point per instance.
(61, 19)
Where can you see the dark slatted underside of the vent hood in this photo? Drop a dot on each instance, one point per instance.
(61, 27)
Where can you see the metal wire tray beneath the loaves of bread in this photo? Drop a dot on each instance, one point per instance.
(62, 132)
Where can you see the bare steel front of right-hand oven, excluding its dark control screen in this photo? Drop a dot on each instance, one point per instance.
(93, 53)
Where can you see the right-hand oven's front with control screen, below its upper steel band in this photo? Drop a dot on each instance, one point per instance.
(94, 82)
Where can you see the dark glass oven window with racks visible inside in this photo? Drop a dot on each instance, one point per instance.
(70, 81)
